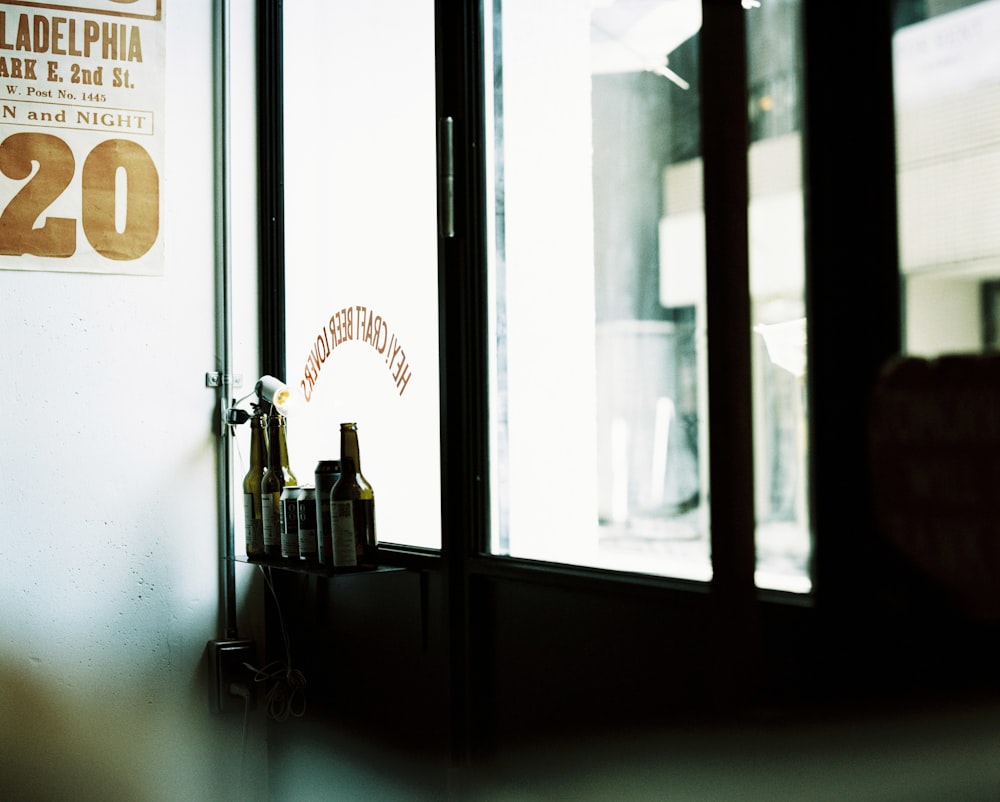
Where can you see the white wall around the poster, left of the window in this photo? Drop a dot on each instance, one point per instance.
(109, 577)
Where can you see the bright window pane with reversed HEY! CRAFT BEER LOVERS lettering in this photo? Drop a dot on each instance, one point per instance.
(361, 250)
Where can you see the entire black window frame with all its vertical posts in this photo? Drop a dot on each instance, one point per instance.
(849, 178)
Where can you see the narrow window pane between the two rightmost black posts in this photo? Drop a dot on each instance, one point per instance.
(777, 287)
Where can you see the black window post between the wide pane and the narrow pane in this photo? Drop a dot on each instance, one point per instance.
(726, 192)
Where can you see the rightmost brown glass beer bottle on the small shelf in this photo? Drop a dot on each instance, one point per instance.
(352, 506)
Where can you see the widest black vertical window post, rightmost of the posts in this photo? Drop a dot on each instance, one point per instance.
(852, 283)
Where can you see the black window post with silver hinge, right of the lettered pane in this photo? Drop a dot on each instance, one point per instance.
(464, 410)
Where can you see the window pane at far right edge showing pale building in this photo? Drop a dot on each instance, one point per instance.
(947, 91)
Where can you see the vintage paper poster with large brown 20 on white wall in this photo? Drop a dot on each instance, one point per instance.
(82, 136)
